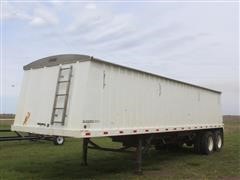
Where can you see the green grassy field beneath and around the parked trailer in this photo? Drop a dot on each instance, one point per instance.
(43, 160)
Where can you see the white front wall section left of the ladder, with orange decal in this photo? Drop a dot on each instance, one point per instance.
(36, 97)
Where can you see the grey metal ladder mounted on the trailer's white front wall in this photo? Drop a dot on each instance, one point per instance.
(65, 95)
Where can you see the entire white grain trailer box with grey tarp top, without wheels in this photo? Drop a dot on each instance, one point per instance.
(106, 99)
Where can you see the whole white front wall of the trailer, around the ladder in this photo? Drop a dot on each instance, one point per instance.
(36, 102)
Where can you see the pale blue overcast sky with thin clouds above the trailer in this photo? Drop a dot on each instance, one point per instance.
(196, 42)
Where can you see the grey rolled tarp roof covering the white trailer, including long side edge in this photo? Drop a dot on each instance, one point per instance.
(73, 58)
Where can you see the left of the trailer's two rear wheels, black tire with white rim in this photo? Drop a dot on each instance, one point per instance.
(207, 143)
